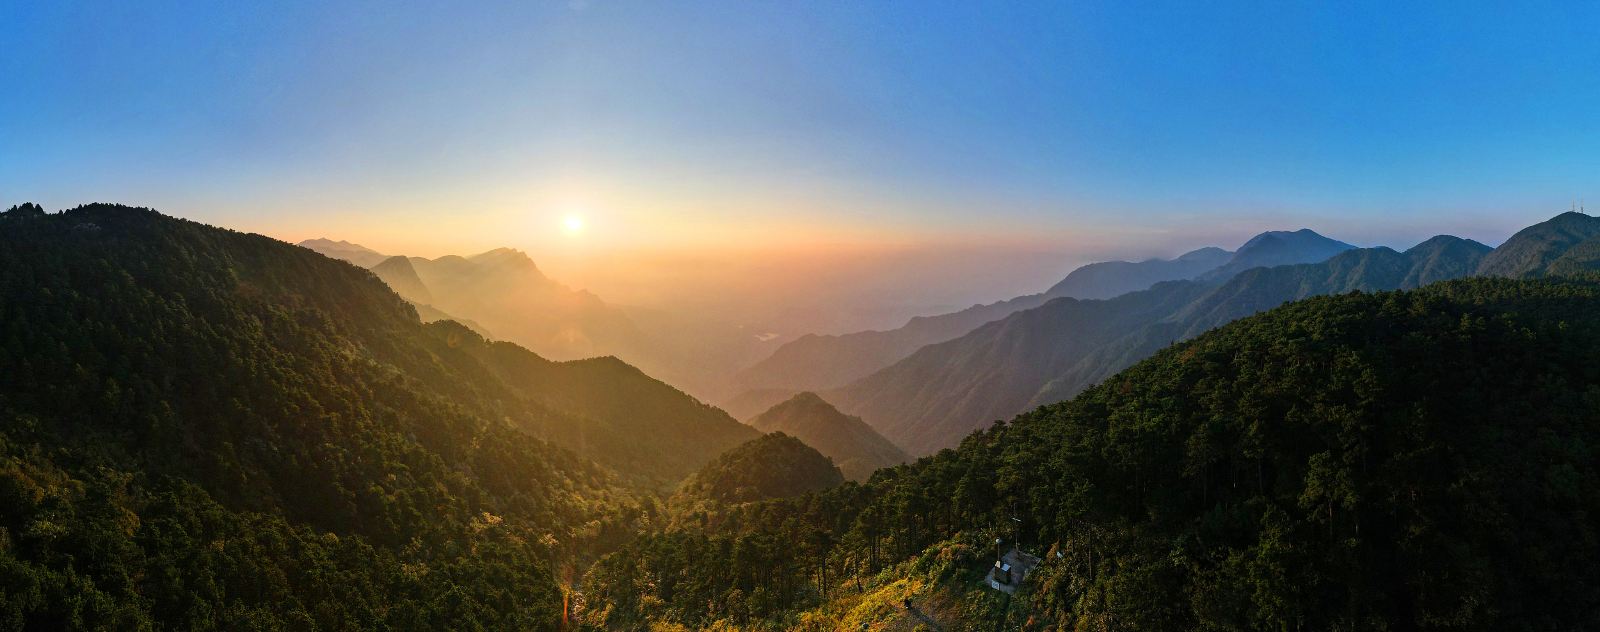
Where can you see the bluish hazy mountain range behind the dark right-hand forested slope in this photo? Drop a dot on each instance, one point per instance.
(942, 393)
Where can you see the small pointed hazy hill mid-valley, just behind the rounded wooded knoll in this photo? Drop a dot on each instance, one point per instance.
(855, 447)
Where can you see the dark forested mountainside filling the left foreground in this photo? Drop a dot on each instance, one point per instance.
(207, 430)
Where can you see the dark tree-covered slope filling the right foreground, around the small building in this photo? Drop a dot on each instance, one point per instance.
(1406, 460)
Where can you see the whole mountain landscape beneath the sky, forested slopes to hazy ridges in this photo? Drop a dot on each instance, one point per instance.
(212, 430)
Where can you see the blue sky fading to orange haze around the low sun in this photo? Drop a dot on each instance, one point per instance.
(905, 156)
